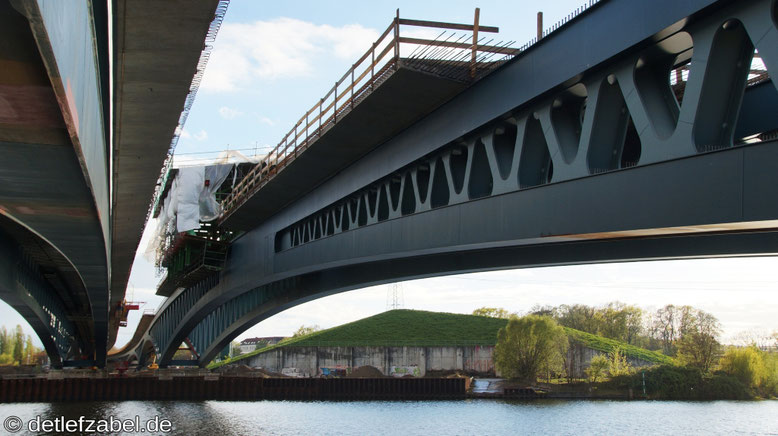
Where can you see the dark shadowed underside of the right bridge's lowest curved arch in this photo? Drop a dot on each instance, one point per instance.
(318, 285)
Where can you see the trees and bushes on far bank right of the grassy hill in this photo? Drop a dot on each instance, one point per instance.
(700, 368)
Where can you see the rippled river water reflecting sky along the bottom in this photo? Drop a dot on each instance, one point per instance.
(465, 417)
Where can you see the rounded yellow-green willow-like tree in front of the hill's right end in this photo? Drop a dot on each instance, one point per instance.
(529, 344)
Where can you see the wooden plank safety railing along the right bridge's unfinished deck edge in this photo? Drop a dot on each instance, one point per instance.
(368, 72)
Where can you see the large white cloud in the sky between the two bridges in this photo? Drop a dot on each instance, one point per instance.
(282, 47)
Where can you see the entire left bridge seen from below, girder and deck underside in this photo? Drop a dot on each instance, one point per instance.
(66, 236)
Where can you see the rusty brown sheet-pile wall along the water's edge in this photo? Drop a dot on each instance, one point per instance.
(228, 388)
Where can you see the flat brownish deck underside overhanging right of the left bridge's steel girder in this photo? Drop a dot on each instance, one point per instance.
(157, 53)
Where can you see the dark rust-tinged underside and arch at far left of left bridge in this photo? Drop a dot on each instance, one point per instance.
(50, 219)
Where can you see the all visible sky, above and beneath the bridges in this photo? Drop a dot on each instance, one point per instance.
(272, 61)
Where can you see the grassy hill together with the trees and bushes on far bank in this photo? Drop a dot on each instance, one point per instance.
(699, 368)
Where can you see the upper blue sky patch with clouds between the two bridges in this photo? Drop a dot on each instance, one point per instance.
(272, 61)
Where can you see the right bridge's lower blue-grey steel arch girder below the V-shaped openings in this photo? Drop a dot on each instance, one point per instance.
(713, 205)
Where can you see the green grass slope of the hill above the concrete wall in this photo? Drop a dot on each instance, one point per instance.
(430, 329)
